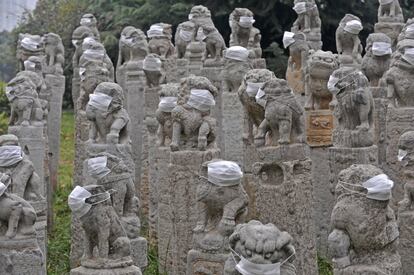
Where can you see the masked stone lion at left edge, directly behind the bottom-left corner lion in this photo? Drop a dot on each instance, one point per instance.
(24, 181)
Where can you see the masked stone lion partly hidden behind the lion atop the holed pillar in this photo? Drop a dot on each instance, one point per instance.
(252, 82)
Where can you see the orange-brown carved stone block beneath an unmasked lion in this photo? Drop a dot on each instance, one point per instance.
(319, 128)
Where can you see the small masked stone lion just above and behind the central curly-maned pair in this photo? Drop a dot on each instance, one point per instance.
(154, 70)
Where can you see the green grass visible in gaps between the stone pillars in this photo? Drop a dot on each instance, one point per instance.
(59, 239)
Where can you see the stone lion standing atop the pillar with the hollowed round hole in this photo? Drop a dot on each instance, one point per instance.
(283, 121)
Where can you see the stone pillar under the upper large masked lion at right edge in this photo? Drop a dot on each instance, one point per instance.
(399, 121)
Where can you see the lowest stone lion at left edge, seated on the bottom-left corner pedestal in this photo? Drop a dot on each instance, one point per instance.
(17, 216)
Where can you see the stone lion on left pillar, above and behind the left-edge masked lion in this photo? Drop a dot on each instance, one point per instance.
(25, 106)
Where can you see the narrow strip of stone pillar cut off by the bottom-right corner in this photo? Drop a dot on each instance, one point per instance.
(406, 245)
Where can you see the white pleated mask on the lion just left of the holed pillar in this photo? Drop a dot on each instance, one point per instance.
(224, 173)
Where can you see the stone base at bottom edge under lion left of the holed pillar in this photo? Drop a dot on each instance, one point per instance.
(203, 263)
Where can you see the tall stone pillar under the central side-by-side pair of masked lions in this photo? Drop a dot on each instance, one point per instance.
(177, 209)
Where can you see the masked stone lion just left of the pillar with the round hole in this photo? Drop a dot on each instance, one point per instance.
(219, 191)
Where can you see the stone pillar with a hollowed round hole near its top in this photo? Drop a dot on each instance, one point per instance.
(284, 197)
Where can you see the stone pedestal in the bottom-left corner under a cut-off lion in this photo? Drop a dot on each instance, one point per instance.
(21, 257)
